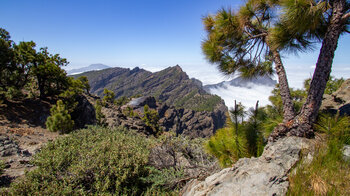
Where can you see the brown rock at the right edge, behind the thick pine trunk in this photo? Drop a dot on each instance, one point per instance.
(339, 100)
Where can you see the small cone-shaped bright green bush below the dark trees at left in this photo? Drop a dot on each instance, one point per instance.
(60, 120)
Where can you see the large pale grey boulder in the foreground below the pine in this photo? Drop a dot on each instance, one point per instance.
(266, 175)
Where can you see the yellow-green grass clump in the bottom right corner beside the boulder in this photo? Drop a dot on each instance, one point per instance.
(327, 174)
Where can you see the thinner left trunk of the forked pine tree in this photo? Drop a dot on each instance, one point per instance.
(288, 108)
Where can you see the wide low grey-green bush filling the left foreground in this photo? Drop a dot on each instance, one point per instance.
(95, 161)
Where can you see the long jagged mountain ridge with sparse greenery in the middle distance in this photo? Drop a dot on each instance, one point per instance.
(171, 86)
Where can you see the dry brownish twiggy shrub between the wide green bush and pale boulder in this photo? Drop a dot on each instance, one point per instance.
(184, 154)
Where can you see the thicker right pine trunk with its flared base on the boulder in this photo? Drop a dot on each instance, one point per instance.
(302, 124)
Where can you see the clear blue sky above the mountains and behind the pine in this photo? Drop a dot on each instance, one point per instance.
(152, 34)
